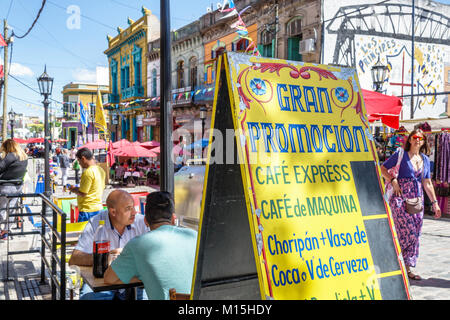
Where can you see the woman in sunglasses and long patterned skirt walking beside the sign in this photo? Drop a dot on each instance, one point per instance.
(409, 177)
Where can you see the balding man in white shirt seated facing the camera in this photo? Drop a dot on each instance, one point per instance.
(123, 224)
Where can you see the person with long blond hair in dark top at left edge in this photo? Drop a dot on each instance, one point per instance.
(13, 166)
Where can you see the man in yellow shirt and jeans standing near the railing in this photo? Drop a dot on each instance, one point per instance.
(92, 184)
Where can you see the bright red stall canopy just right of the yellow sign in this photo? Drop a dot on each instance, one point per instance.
(382, 107)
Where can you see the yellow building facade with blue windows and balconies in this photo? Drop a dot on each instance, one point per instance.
(127, 58)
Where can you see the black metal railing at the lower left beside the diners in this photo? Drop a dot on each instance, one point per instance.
(57, 238)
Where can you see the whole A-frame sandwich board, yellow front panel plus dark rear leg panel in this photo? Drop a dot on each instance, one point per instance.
(293, 209)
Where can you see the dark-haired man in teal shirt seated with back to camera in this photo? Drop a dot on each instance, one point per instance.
(162, 258)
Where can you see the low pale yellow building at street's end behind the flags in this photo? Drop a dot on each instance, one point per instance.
(73, 95)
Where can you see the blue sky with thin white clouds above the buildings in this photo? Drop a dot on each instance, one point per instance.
(72, 54)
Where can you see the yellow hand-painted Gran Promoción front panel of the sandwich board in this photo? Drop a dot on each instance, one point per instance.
(319, 225)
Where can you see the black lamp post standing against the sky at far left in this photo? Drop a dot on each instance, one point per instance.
(45, 83)
